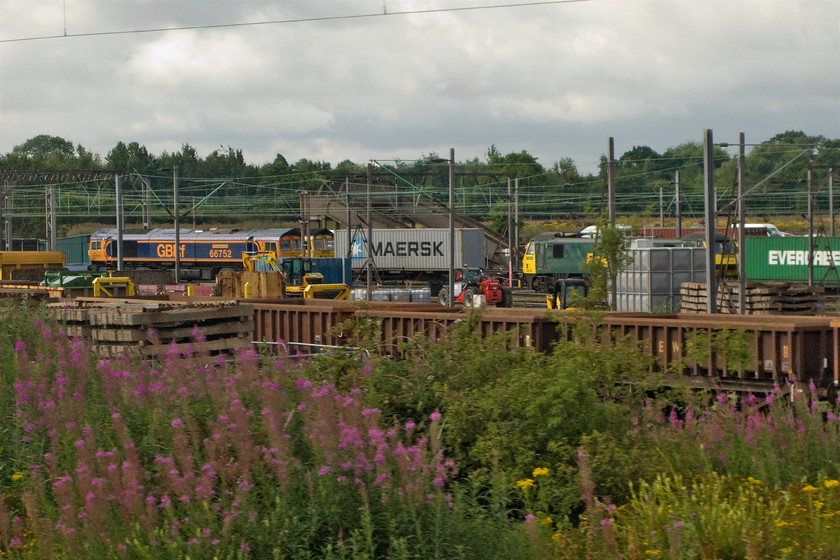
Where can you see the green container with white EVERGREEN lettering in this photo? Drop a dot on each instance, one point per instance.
(788, 258)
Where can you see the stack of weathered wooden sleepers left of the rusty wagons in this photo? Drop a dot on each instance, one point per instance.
(114, 327)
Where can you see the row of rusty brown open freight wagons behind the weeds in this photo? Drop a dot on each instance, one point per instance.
(733, 352)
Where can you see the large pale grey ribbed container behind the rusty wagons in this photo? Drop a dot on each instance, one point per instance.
(651, 282)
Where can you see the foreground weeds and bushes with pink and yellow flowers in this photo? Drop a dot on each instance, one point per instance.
(466, 448)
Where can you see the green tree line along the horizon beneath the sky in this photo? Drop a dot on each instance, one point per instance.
(555, 191)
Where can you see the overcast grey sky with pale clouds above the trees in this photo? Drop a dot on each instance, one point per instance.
(556, 80)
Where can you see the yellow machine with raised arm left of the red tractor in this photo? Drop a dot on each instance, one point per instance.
(300, 280)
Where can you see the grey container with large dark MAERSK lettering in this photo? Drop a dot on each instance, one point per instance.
(413, 250)
